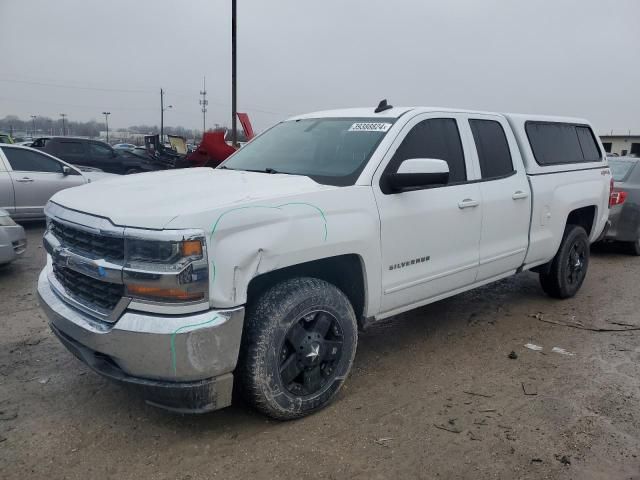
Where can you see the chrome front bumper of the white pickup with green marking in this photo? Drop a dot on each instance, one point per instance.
(182, 363)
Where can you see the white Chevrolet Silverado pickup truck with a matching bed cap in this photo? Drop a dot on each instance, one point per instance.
(260, 272)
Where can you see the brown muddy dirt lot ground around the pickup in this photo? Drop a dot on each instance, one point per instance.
(433, 394)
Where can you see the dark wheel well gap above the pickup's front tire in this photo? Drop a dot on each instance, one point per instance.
(343, 271)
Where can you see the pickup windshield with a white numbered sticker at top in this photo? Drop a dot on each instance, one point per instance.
(331, 151)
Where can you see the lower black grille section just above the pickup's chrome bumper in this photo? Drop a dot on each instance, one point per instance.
(87, 290)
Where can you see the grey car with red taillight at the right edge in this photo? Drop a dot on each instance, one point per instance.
(625, 202)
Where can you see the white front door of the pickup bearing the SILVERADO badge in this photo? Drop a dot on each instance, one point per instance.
(430, 237)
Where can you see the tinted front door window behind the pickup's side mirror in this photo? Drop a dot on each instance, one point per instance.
(434, 138)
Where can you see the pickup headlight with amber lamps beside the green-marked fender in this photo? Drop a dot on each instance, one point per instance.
(166, 271)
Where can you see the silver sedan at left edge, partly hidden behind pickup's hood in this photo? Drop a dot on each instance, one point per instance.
(30, 177)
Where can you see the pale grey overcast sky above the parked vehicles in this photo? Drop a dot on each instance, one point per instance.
(80, 57)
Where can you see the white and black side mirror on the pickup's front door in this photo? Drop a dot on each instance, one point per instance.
(419, 173)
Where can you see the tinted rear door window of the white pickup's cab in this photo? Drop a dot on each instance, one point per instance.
(493, 148)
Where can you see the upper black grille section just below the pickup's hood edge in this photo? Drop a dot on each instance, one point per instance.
(98, 246)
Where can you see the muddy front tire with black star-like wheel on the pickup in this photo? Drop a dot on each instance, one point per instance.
(298, 346)
